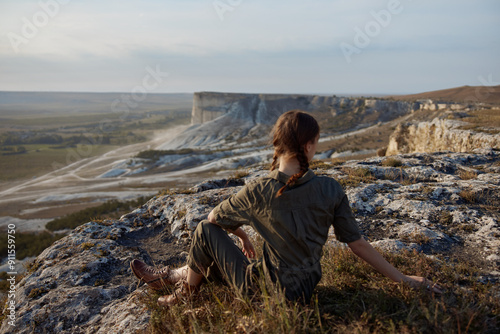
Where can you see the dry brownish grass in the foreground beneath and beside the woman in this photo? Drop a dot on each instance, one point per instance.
(351, 298)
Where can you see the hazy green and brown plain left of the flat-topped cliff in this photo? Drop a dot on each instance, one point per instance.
(40, 132)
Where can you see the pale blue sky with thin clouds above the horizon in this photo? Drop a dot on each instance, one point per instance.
(360, 47)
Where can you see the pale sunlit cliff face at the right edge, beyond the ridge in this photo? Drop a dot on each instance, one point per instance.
(439, 135)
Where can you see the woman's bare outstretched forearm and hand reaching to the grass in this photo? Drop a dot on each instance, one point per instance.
(365, 251)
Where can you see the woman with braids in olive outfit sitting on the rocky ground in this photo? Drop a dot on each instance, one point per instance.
(292, 209)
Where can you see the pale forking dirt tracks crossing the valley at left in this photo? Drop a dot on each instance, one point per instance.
(80, 182)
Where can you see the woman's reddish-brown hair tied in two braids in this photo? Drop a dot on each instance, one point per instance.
(293, 130)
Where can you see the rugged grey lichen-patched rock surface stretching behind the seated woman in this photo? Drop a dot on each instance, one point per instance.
(444, 204)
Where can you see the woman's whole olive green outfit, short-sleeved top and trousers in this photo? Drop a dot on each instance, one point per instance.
(293, 226)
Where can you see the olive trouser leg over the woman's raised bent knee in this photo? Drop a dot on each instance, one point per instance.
(215, 255)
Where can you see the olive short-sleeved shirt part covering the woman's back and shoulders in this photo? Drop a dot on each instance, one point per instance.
(294, 225)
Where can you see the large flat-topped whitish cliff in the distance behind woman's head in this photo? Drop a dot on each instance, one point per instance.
(223, 120)
